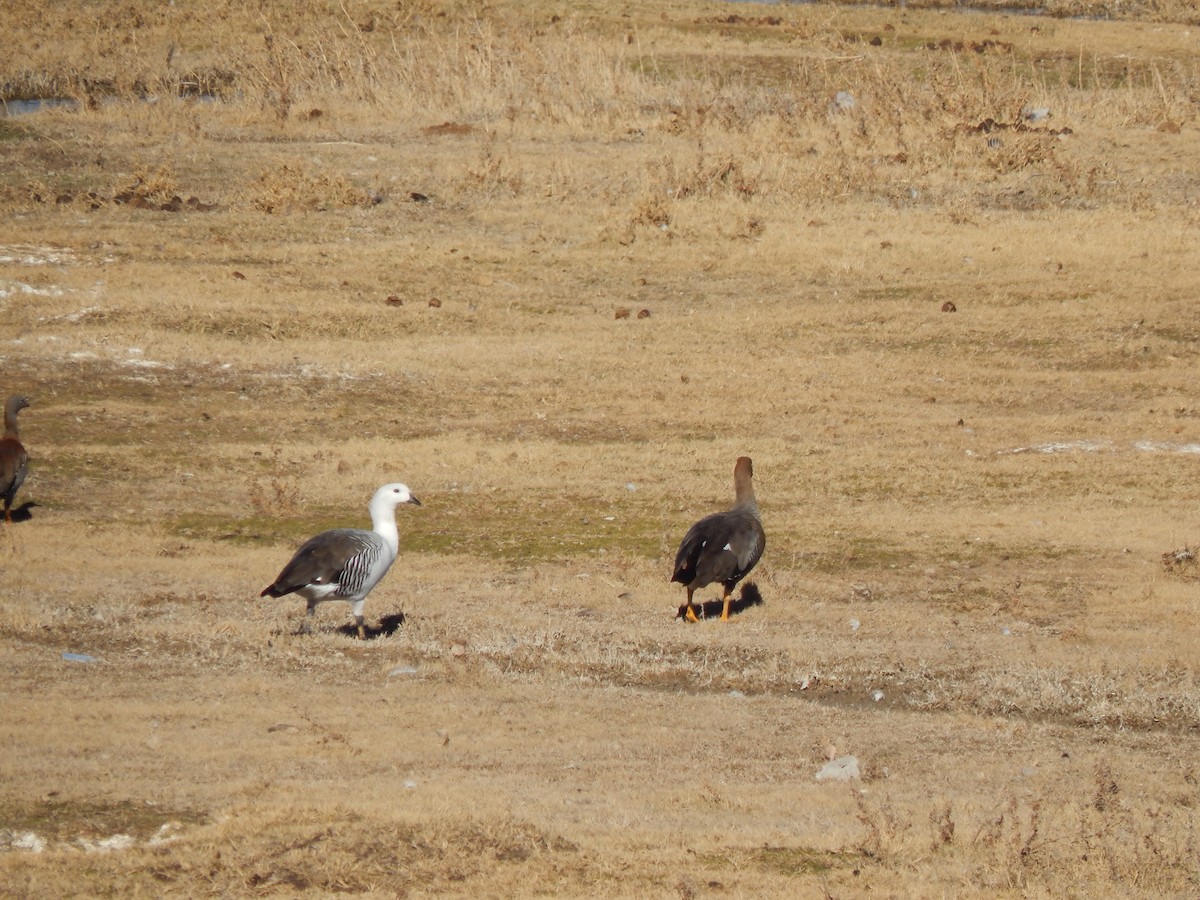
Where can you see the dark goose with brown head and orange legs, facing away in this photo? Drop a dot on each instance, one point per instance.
(725, 547)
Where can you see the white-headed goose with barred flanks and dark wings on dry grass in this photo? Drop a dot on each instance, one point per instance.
(346, 563)
